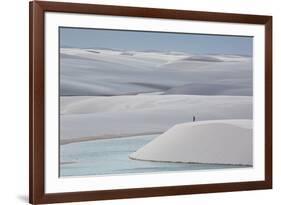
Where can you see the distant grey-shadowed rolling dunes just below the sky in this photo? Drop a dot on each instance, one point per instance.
(102, 72)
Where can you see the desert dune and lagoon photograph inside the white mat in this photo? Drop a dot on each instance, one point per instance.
(138, 102)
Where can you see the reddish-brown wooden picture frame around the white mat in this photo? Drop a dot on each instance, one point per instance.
(37, 193)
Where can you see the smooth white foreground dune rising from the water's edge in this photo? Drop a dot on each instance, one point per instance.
(214, 142)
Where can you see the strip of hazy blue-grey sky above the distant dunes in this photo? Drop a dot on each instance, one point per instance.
(159, 41)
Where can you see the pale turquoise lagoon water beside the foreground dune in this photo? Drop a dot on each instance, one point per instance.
(110, 156)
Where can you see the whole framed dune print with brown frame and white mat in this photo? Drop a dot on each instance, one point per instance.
(138, 102)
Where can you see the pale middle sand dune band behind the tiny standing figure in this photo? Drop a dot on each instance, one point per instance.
(90, 118)
